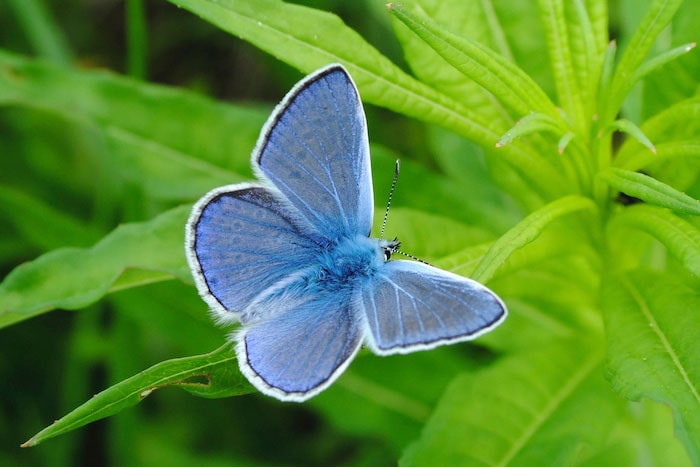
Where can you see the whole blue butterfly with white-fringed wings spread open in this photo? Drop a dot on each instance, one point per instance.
(290, 256)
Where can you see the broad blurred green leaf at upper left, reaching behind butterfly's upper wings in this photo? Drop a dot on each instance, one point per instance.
(174, 125)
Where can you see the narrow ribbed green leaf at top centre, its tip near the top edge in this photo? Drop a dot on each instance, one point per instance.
(502, 78)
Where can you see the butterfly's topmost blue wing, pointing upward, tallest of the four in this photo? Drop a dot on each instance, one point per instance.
(314, 149)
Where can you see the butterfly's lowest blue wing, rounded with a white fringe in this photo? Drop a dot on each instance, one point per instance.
(303, 349)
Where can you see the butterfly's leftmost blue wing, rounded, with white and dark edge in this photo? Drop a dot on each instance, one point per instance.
(241, 240)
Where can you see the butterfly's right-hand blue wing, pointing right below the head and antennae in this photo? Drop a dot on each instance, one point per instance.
(412, 306)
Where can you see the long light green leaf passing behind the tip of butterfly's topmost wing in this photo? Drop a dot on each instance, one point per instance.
(309, 39)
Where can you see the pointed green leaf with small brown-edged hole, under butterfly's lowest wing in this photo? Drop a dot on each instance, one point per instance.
(213, 375)
